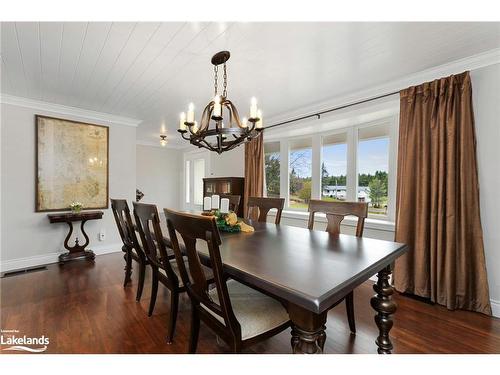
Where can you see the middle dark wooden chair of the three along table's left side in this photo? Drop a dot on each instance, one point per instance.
(164, 269)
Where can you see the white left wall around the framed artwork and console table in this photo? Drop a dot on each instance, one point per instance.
(27, 237)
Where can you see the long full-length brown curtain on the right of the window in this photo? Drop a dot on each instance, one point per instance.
(437, 208)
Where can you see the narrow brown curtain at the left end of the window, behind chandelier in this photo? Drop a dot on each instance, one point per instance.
(254, 171)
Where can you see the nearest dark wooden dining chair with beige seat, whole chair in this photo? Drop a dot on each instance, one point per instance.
(239, 315)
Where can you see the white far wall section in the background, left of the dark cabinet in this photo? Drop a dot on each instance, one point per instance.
(159, 175)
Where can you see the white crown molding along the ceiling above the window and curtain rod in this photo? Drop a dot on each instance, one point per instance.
(473, 62)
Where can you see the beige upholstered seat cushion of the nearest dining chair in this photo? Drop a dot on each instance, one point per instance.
(256, 312)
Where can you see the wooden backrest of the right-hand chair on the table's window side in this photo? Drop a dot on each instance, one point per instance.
(336, 212)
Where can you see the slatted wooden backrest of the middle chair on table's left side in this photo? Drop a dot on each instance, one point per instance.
(148, 225)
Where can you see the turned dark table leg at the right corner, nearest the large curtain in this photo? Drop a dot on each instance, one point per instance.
(383, 304)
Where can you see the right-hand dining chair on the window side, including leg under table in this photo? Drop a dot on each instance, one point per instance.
(336, 212)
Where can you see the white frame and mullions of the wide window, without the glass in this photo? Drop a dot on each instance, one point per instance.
(352, 140)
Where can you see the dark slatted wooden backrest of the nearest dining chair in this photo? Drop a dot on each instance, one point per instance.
(192, 230)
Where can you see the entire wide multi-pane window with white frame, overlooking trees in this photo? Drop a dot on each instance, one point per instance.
(354, 163)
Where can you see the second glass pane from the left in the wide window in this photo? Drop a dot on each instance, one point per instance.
(300, 171)
